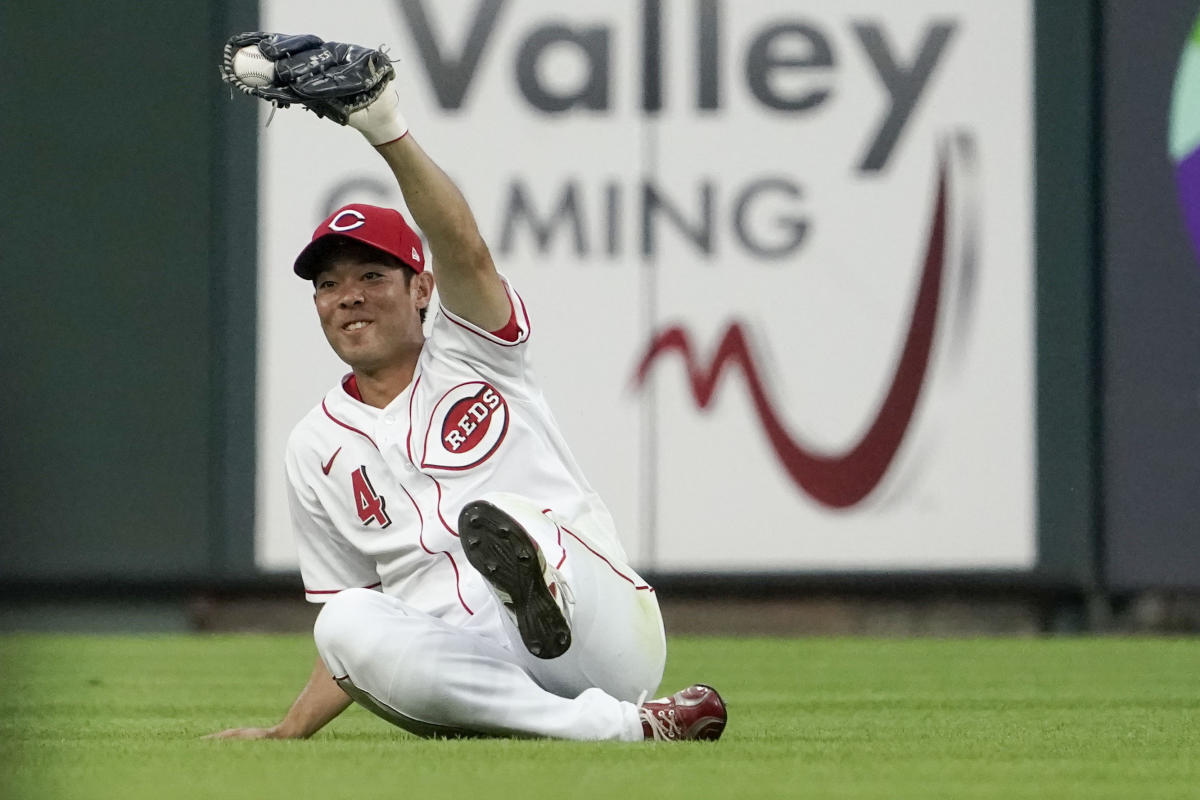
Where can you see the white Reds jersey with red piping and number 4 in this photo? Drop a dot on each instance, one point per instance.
(376, 494)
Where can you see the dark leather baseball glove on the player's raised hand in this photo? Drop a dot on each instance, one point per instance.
(328, 79)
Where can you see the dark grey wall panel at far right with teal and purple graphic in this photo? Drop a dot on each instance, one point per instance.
(1150, 424)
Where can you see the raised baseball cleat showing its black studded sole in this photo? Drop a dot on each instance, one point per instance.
(509, 560)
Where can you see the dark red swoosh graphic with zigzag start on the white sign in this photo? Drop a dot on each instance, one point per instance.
(843, 480)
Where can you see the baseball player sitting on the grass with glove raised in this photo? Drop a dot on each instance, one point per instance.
(472, 580)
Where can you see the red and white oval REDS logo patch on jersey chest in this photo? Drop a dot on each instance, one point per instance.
(467, 425)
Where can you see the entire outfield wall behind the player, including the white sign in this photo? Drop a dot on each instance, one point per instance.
(764, 182)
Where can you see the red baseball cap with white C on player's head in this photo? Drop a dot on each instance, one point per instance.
(381, 228)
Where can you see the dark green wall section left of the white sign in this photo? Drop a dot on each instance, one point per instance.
(125, 449)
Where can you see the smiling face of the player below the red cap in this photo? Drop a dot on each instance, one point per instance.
(370, 312)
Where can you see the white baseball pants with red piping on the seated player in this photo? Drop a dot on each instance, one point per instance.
(436, 679)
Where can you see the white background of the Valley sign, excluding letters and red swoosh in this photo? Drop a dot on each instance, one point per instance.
(703, 490)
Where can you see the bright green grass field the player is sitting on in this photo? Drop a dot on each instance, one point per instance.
(123, 718)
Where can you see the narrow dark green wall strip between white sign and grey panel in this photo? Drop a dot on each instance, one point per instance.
(1067, 249)
